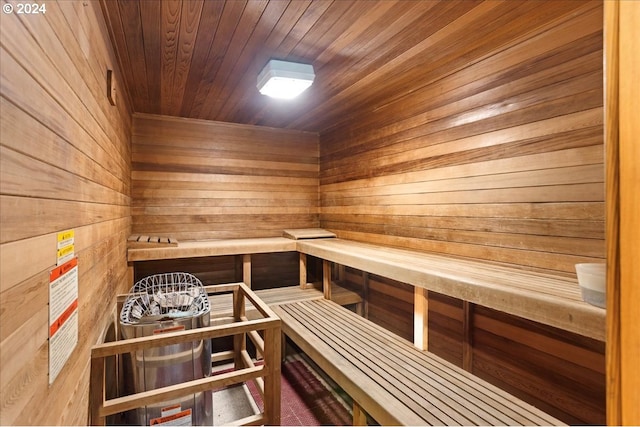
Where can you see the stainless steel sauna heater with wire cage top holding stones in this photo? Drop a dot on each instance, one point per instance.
(159, 304)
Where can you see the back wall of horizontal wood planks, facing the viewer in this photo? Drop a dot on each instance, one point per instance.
(196, 179)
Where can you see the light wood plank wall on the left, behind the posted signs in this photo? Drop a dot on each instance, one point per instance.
(65, 164)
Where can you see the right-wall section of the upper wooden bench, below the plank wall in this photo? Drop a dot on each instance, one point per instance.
(549, 299)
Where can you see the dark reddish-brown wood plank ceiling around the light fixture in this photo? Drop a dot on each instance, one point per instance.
(200, 58)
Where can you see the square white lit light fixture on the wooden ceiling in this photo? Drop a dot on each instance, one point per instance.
(285, 80)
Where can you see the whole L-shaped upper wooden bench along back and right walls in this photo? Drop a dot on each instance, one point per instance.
(548, 299)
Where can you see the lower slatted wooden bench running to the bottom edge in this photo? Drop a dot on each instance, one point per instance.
(392, 380)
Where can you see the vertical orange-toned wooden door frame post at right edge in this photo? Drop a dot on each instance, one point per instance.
(622, 20)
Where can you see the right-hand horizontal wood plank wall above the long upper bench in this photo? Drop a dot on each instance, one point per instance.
(496, 154)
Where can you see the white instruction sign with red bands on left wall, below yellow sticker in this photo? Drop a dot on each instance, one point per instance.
(63, 315)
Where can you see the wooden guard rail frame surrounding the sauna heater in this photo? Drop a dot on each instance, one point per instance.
(267, 376)
